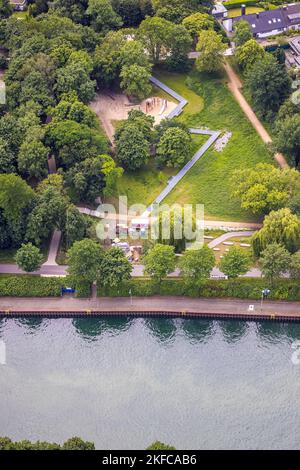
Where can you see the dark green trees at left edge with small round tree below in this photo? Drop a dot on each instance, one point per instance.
(31, 216)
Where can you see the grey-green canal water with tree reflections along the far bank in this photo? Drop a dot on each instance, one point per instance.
(124, 383)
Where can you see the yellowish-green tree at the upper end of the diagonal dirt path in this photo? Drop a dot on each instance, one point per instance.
(210, 47)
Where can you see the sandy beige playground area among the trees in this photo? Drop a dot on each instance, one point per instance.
(112, 107)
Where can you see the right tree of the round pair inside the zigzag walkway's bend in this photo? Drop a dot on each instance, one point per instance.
(173, 148)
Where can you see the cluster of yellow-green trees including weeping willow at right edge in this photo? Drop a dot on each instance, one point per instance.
(274, 194)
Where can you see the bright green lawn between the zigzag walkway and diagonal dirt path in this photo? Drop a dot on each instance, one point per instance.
(209, 182)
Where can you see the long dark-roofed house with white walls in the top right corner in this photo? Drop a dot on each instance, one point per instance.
(270, 22)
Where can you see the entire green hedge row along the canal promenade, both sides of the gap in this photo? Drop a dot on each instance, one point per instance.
(34, 286)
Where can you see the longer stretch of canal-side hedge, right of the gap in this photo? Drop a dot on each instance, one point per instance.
(239, 288)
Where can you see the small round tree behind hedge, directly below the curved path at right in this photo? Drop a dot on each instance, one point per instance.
(235, 262)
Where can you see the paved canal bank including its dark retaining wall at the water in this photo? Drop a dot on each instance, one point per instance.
(168, 306)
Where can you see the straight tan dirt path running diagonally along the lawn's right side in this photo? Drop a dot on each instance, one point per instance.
(234, 86)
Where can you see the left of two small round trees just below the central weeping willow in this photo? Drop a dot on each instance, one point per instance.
(159, 262)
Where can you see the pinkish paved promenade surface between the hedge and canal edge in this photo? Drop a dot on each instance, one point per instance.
(153, 304)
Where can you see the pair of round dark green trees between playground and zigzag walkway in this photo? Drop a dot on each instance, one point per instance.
(136, 139)
